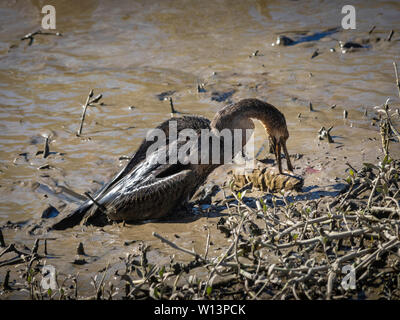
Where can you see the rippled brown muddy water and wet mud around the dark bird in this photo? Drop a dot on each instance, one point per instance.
(132, 52)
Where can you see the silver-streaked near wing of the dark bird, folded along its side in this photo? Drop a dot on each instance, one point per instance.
(150, 190)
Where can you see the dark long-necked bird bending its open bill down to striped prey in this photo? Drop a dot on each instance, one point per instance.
(147, 188)
